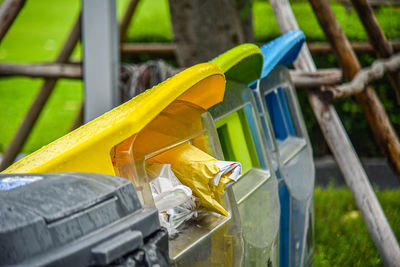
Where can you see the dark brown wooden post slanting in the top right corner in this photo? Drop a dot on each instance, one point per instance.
(376, 37)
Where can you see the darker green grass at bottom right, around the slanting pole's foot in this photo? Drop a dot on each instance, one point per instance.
(341, 237)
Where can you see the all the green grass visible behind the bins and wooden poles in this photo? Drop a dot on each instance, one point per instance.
(341, 238)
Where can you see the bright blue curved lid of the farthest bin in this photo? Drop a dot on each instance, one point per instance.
(282, 50)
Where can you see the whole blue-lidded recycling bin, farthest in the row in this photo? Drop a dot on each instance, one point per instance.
(280, 111)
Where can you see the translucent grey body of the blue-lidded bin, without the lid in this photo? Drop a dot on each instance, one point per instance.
(296, 161)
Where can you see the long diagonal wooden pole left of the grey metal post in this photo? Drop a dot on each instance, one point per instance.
(34, 111)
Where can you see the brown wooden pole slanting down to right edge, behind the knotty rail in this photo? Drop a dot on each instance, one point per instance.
(372, 106)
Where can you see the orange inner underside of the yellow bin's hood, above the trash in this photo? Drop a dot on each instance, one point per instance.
(177, 123)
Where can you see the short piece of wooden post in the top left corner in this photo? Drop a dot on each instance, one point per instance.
(9, 10)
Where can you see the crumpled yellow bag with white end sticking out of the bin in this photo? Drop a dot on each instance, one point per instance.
(205, 175)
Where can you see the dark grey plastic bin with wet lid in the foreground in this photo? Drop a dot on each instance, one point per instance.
(77, 219)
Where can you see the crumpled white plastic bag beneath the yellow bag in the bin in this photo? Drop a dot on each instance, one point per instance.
(174, 201)
